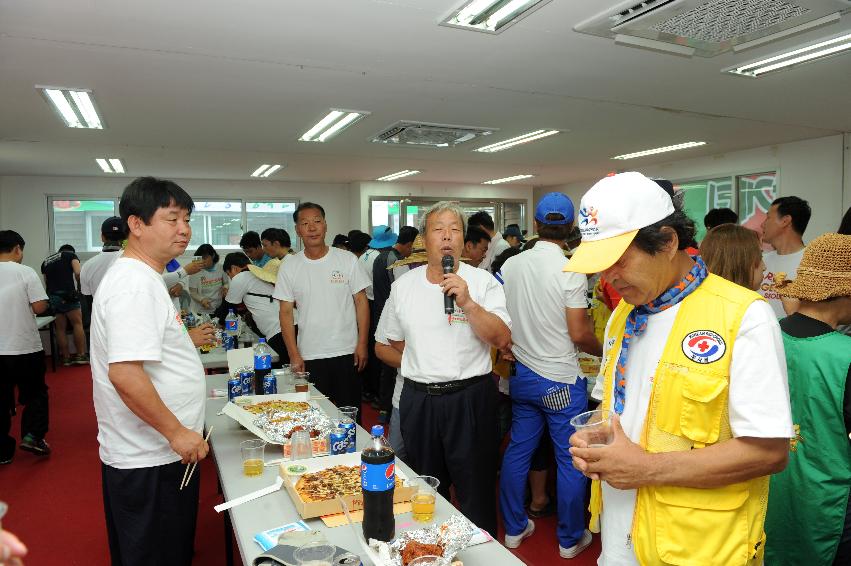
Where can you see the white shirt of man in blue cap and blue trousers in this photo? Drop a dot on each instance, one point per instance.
(537, 291)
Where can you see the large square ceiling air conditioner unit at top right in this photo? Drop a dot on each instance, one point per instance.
(709, 27)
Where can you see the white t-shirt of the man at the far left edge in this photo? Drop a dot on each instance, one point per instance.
(20, 287)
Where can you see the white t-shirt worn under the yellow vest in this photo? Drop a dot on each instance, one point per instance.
(758, 403)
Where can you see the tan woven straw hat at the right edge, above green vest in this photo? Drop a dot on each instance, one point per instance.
(824, 272)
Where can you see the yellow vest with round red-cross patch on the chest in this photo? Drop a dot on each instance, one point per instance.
(688, 410)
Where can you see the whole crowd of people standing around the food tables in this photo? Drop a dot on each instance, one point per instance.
(725, 368)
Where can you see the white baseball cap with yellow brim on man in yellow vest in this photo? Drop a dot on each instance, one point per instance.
(610, 215)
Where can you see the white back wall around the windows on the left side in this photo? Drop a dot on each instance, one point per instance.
(23, 201)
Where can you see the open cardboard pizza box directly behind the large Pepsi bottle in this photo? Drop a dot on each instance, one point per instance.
(310, 509)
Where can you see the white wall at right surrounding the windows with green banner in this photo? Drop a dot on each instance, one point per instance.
(817, 170)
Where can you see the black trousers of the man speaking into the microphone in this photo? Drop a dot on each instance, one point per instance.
(453, 437)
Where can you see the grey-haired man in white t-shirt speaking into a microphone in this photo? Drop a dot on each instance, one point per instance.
(449, 401)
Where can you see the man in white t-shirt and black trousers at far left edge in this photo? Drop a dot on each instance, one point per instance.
(22, 296)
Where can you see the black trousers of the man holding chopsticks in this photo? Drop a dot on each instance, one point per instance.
(149, 520)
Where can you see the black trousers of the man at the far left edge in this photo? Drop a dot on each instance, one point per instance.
(26, 371)
